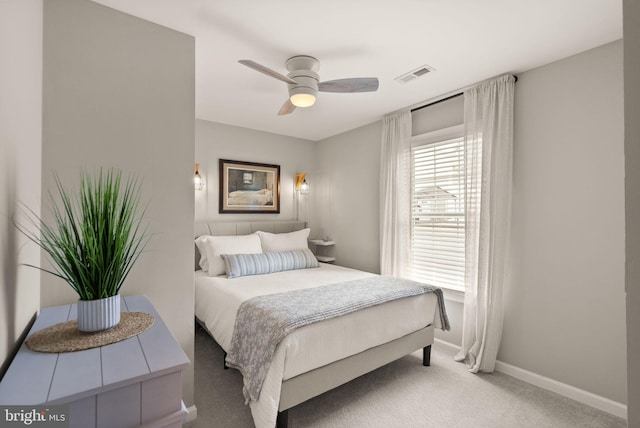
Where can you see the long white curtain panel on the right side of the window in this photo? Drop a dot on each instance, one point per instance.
(488, 129)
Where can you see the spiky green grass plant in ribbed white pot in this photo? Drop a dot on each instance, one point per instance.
(93, 241)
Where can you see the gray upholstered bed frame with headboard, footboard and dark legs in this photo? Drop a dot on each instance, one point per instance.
(315, 382)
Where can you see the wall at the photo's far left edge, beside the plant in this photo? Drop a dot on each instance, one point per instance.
(20, 157)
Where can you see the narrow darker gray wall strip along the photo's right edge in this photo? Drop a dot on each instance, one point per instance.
(632, 195)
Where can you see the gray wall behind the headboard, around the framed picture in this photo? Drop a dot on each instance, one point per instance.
(216, 141)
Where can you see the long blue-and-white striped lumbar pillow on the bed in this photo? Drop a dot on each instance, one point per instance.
(257, 264)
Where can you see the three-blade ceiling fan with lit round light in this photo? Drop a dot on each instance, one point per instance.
(303, 82)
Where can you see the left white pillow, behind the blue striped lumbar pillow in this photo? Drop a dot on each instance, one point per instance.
(217, 245)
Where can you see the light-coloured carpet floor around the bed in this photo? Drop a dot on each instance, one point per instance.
(402, 394)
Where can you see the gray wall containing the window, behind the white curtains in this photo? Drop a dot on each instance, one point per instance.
(565, 314)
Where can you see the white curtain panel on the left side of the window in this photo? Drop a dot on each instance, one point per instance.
(395, 194)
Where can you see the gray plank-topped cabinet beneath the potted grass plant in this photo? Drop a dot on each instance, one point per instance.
(133, 383)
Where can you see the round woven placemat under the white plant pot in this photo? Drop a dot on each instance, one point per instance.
(65, 337)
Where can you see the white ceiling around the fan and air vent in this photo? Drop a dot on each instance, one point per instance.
(466, 41)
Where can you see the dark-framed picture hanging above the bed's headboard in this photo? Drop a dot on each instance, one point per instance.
(248, 187)
